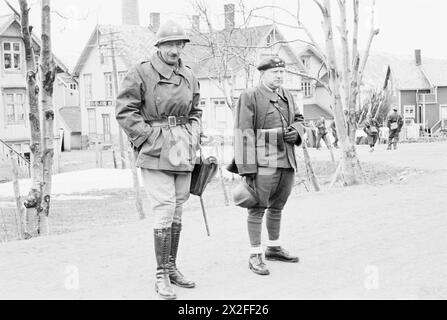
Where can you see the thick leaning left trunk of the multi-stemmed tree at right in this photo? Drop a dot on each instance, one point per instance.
(349, 157)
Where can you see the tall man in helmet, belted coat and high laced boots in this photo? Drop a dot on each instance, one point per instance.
(158, 110)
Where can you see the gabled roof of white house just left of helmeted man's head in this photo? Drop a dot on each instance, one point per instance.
(133, 43)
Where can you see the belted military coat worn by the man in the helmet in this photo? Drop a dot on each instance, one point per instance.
(152, 90)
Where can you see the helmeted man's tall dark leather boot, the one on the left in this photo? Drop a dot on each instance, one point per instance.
(162, 243)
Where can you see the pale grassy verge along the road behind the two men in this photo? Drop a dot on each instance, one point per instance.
(98, 209)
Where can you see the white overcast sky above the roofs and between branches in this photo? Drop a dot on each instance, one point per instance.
(404, 24)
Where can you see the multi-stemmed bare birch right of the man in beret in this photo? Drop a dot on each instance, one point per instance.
(344, 81)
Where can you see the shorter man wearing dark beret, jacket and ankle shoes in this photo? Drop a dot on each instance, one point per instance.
(267, 129)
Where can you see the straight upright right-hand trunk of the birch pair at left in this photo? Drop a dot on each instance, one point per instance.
(48, 69)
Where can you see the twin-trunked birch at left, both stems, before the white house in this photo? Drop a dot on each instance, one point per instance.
(42, 150)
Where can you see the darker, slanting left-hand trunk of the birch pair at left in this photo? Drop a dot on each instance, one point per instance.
(34, 199)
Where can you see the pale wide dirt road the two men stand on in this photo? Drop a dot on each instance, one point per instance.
(364, 242)
